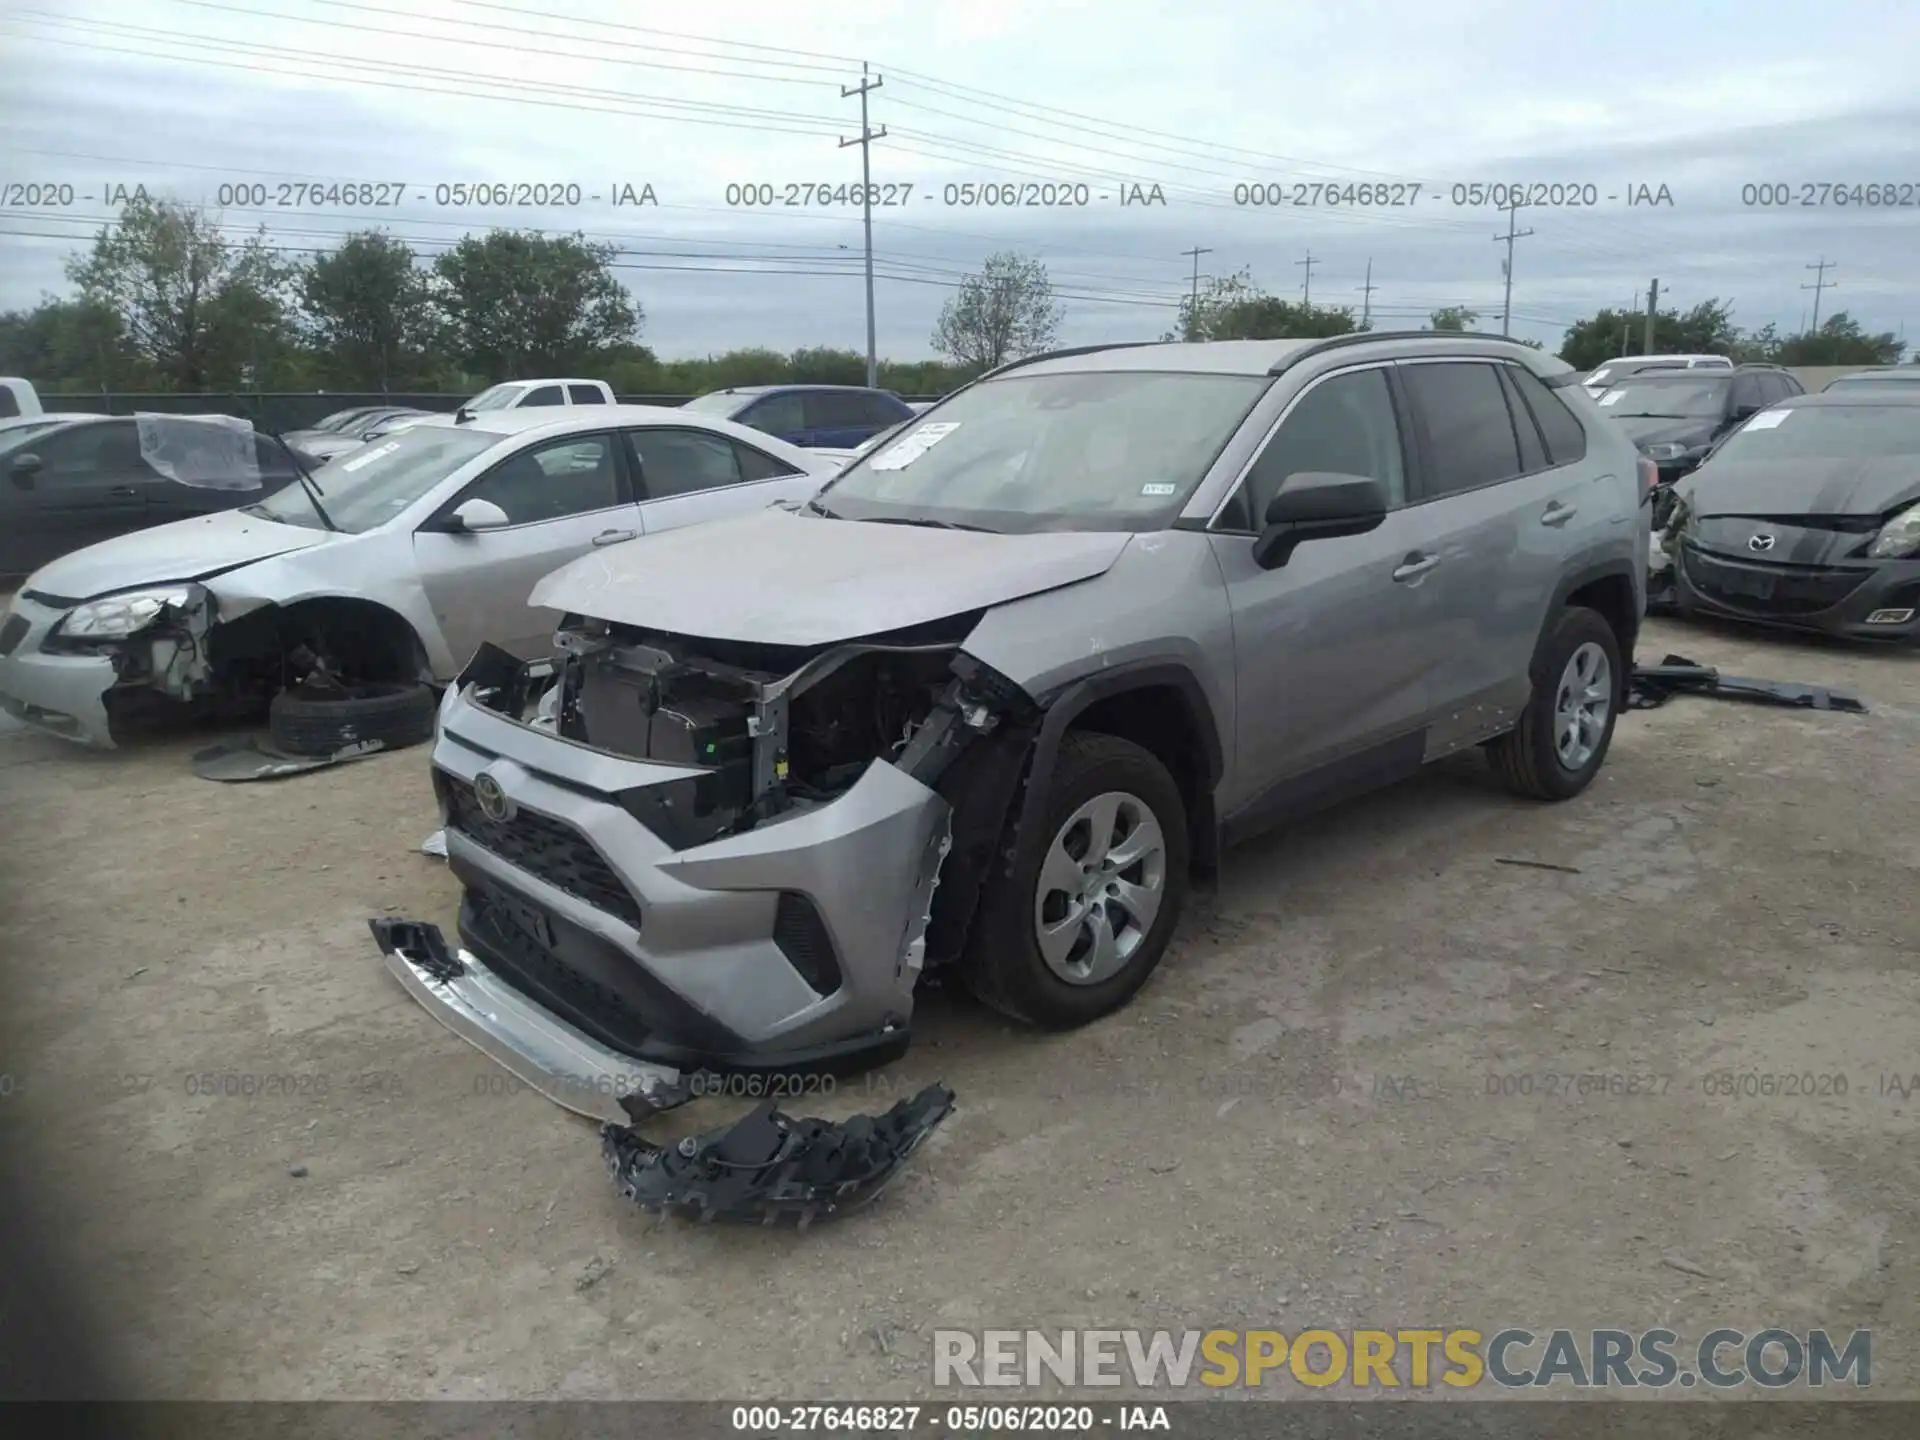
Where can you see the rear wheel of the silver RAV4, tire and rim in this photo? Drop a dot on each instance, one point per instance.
(1568, 725)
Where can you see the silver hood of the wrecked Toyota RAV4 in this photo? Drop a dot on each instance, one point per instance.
(786, 579)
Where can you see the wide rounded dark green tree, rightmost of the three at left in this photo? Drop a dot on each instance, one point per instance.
(531, 304)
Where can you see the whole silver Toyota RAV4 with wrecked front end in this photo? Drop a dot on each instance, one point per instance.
(1003, 690)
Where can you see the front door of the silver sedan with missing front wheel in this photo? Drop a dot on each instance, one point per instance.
(562, 500)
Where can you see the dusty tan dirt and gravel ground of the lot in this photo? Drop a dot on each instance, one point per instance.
(1301, 1122)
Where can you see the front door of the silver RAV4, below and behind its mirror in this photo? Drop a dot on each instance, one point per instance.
(1332, 650)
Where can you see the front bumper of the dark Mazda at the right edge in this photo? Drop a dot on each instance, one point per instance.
(1877, 600)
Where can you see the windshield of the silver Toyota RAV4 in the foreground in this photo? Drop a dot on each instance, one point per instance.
(1103, 450)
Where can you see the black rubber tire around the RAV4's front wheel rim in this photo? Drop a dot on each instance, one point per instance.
(1003, 963)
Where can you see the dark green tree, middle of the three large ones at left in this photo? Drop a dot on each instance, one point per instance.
(370, 312)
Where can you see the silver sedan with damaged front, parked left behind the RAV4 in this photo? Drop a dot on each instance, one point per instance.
(389, 567)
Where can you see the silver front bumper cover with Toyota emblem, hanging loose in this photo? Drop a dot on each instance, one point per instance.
(788, 948)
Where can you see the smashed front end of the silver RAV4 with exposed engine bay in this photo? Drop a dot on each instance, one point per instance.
(696, 859)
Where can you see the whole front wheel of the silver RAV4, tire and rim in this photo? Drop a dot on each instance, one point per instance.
(1070, 934)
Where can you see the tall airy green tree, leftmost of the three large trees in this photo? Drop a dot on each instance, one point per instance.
(201, 310)
